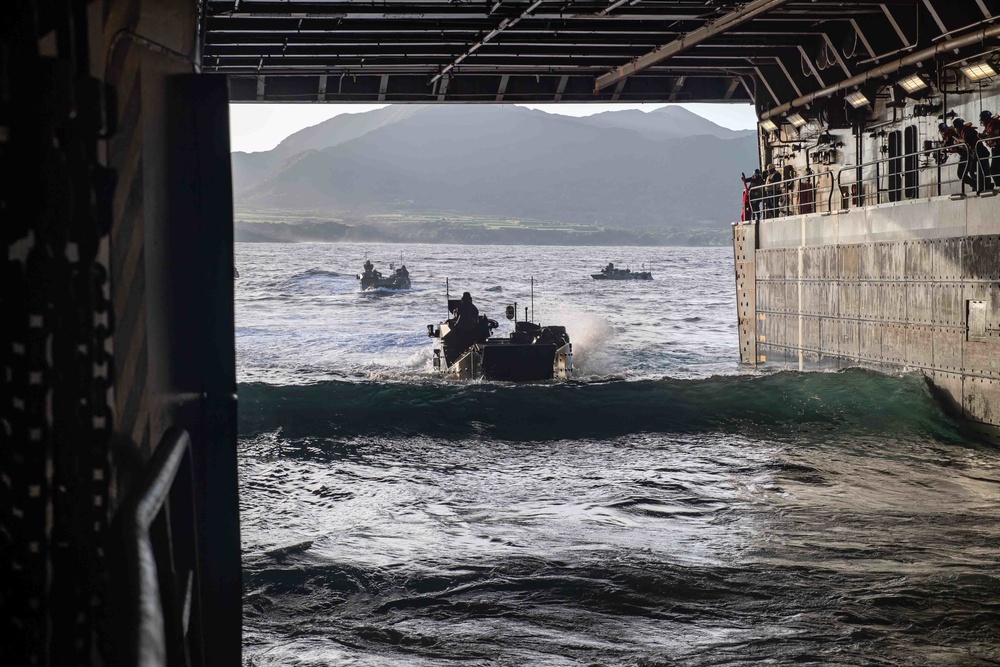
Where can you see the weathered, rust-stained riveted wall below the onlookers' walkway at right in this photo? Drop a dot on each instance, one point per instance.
(912, 287)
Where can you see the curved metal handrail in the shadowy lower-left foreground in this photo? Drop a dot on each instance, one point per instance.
(162, 559)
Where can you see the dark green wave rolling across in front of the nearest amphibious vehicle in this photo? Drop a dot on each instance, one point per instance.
(780, 405)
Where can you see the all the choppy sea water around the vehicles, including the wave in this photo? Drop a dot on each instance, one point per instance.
(665, 507)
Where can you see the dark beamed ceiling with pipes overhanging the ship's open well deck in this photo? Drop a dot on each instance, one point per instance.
(763, 51)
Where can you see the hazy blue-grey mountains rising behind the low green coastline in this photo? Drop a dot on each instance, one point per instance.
(664, 169)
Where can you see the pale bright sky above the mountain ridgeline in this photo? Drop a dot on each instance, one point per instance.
(260, 127)
